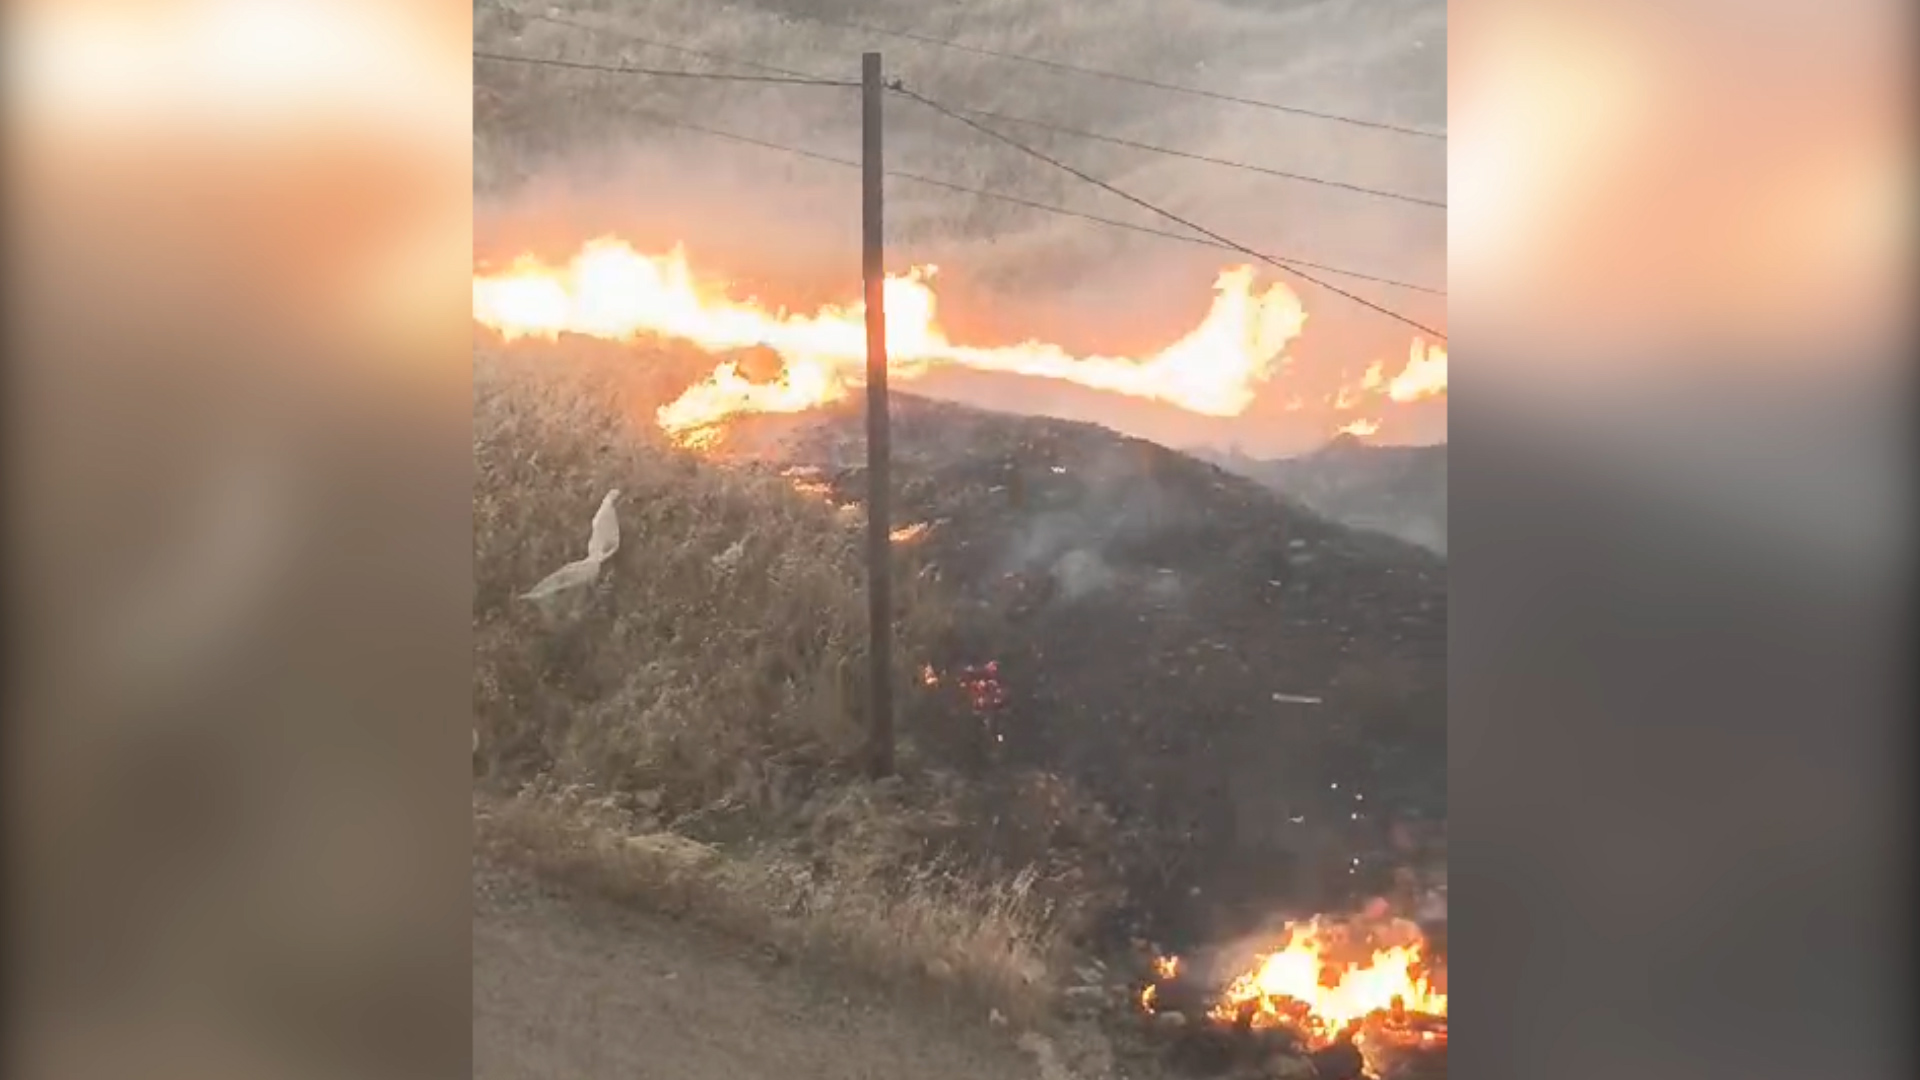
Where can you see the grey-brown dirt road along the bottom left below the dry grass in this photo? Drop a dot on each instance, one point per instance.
(581, 991)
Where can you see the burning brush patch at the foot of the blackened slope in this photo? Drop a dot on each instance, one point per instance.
(1332, 998)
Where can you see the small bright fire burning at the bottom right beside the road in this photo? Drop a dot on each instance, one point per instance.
(1326, 981)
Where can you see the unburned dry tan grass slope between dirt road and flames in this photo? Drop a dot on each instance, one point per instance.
(686, 731)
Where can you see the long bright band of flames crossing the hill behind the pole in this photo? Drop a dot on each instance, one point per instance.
(612, 291)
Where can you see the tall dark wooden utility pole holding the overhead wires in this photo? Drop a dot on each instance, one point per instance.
(878, 510)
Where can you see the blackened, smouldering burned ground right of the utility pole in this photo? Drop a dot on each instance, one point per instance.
(1249, 689)
